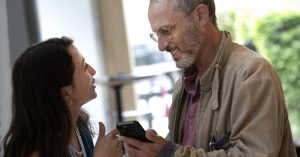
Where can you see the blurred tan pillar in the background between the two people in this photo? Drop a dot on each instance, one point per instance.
(117, 55)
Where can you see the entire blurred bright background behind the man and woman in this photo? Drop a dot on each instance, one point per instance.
(134, 79)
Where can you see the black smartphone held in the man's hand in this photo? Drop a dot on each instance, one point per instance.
(132, 129)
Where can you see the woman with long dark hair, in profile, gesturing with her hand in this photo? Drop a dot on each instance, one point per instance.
(51, 81)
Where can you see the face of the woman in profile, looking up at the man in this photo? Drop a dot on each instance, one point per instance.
(82, 88)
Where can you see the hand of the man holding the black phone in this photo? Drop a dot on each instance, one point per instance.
(136, 148)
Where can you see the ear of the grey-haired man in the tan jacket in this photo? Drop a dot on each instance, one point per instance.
(201, 14)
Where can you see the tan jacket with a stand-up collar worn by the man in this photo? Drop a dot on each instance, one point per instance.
(240, 94)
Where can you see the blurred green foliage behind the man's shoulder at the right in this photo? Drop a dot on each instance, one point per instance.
(277, 37)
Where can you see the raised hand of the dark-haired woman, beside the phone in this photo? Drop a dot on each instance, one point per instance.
(107, 145)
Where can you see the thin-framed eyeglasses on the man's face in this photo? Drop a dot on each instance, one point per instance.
(164, 33)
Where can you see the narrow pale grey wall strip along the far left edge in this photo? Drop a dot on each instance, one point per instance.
(5, 88)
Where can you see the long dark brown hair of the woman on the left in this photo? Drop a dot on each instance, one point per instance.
(41, 120)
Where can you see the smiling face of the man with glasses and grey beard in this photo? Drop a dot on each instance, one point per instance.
(175, 31)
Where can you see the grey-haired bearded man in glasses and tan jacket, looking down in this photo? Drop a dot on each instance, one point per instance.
(229, 100)
